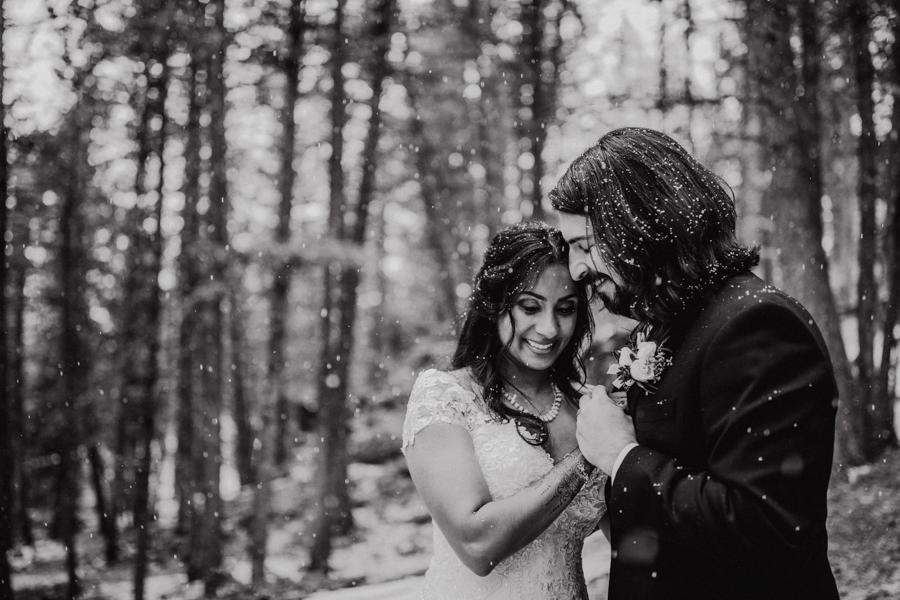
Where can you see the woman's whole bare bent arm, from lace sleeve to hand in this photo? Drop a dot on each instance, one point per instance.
(483, 531)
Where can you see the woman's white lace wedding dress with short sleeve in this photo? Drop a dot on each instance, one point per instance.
(550, 566)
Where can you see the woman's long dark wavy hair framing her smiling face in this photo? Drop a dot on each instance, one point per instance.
(512, 264)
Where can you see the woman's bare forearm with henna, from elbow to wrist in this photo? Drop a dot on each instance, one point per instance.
(508, 525)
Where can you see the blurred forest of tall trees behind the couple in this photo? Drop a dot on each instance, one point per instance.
(235, 230)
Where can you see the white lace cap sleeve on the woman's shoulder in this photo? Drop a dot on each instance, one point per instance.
(436, 397)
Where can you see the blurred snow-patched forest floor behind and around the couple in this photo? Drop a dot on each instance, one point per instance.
(391, 547)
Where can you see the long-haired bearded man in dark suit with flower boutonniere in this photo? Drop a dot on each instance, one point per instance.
(720, 464)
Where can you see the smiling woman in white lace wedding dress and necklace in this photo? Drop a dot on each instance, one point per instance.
(491, 444)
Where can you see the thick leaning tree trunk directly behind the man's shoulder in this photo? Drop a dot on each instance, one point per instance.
(790, 134)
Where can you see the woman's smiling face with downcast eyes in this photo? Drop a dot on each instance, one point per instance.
(544, 317)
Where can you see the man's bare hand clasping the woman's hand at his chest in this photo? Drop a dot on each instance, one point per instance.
(603, 429)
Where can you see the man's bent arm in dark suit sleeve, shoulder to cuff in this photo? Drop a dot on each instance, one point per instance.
(768, 398)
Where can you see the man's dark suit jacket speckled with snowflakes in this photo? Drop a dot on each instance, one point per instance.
(725, 496)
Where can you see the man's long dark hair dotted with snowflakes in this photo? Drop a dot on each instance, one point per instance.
(662, 222)
